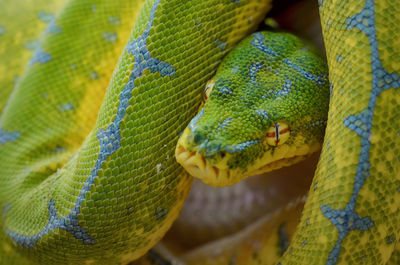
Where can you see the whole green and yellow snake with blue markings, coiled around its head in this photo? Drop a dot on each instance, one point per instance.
(92, 109)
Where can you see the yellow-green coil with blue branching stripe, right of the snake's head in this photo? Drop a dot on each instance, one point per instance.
(351, 215)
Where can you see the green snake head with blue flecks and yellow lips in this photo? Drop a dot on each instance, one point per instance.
(266, 108)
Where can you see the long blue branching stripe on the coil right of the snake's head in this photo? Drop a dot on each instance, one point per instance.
(346, 220)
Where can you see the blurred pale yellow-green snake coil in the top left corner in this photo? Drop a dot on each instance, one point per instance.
(19, 41)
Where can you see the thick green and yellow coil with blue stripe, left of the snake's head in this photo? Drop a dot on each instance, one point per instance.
(87, 179)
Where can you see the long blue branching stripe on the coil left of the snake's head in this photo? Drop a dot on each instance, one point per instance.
(109, 139)
